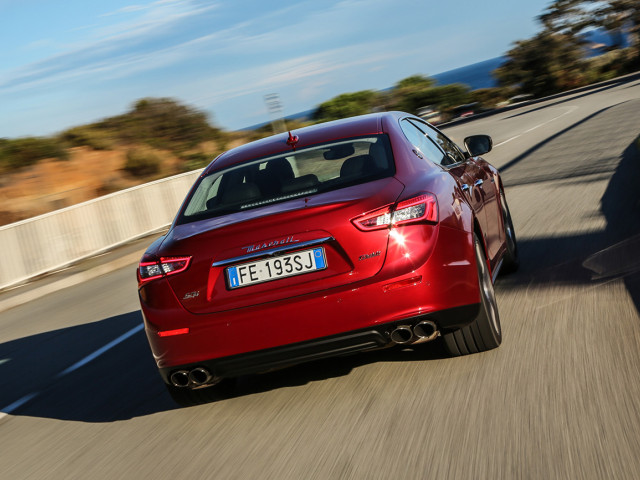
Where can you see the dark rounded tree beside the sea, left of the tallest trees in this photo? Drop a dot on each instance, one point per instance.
(543, 65)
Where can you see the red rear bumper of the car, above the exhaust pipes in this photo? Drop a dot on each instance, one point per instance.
(353, 317)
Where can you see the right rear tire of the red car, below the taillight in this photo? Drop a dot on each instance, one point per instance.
(484, 332)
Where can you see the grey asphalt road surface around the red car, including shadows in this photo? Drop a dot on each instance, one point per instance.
(559, 399)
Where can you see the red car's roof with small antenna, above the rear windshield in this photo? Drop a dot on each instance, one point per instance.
(370, 124)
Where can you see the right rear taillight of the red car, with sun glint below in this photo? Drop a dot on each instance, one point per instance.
(416, 209)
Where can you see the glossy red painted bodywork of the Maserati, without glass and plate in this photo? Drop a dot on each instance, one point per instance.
(375, 279)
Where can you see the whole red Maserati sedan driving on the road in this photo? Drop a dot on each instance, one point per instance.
(341, 237)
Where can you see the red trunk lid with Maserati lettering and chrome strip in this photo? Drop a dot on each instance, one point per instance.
(315, 225)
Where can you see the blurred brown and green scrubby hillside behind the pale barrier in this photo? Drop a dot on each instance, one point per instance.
(158, 137)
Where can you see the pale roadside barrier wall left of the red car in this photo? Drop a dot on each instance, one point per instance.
(52, 241)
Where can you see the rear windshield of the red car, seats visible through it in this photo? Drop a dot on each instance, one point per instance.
(298, 173)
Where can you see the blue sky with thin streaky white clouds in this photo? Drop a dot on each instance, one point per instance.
(67, 63)
